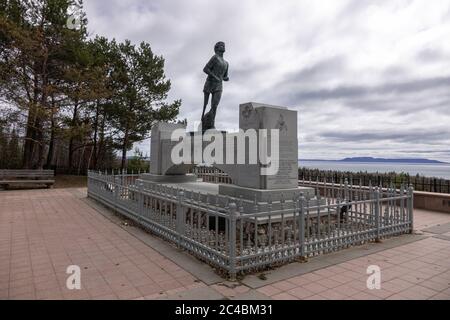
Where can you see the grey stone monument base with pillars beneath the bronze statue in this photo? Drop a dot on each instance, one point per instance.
(249, 180)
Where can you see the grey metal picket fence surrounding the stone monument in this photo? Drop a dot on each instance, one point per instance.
(240, 236)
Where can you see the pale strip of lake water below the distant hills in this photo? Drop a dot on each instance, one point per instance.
(427, 170)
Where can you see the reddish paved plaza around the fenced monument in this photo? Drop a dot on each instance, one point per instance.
(42, 232)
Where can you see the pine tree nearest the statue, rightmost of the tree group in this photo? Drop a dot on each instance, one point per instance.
(141, 89)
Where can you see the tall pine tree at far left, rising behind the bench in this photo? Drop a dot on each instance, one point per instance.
(34, 52)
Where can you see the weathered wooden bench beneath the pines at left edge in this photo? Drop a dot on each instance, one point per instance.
(26, 178)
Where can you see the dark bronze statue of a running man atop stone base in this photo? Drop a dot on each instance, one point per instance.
(217, 71)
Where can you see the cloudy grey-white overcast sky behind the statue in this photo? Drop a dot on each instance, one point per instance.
(368, 77)
